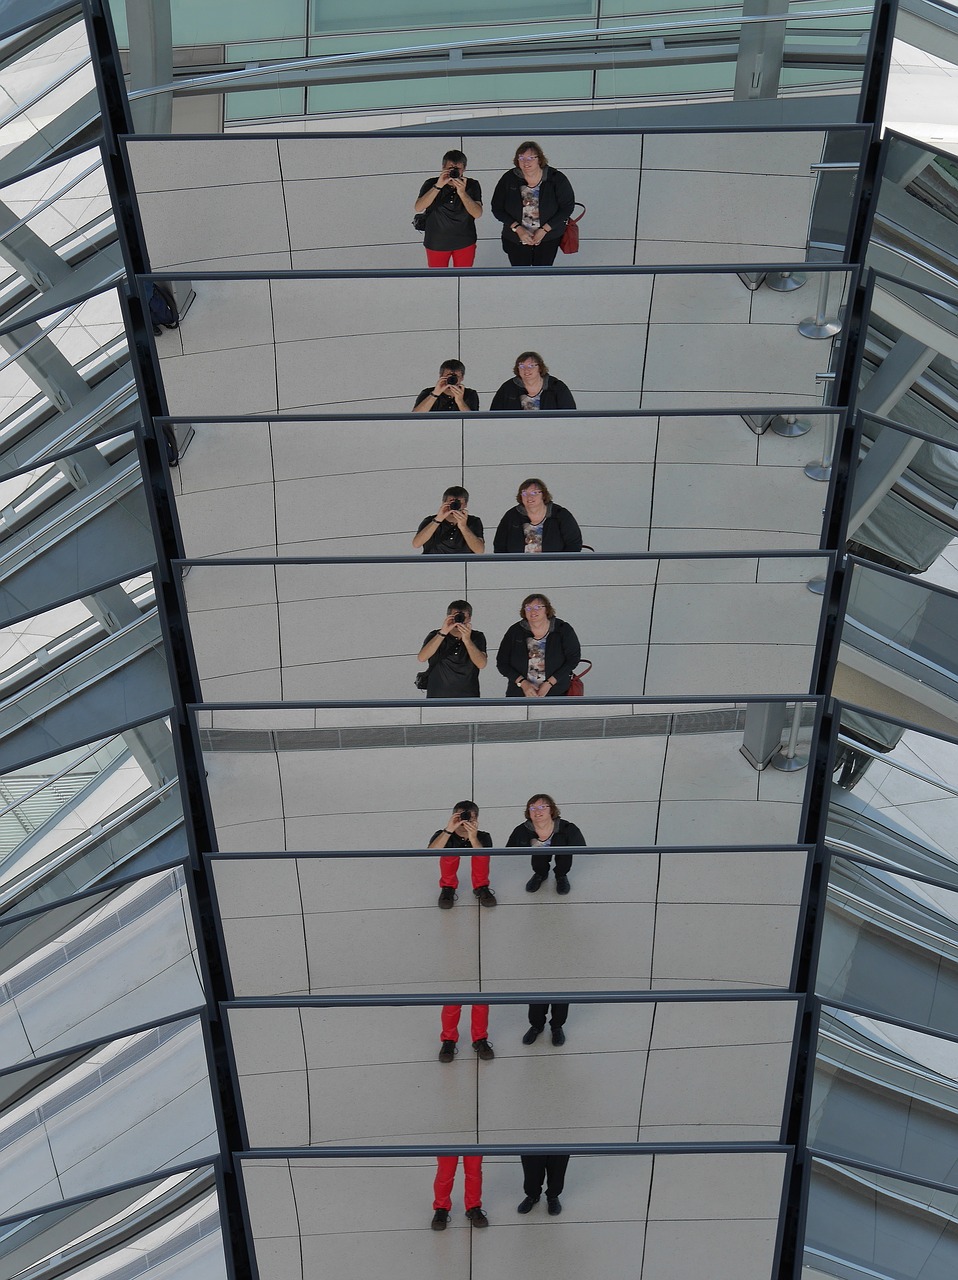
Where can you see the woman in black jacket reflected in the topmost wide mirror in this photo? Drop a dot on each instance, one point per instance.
(533, 203)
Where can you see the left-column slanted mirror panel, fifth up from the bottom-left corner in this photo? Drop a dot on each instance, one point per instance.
(93, 661)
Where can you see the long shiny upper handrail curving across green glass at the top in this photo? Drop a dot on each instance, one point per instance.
(457, 48)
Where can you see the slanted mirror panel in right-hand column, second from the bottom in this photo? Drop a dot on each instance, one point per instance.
(886, 1095)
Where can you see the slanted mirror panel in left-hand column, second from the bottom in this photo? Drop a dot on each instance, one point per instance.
(111, 1113)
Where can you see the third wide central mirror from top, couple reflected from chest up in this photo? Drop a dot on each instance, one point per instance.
(371, 488)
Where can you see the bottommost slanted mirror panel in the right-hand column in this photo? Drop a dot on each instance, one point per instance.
(864, 1223)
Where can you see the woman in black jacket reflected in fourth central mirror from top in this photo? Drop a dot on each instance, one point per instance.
(540, 653)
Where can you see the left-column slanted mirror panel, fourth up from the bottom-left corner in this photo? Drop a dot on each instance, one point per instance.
(90, 816)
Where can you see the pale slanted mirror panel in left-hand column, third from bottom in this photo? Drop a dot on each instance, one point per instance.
(98, 964)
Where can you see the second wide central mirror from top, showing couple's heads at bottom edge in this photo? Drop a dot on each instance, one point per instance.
(627, 341)
